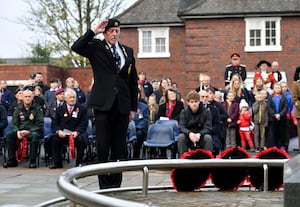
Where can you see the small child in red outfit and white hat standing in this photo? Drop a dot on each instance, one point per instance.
(244, 122)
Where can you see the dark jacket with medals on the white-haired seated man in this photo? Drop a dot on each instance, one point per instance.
(77, 121)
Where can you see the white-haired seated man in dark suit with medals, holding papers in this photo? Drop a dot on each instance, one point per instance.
(70, 122)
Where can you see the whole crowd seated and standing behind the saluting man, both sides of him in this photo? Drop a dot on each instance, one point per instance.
(269, 104)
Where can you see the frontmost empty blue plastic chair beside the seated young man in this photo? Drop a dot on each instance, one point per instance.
(159, 136)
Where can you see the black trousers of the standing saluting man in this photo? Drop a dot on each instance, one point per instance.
(111, 131)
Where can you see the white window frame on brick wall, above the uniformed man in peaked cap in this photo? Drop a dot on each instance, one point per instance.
(259, 24)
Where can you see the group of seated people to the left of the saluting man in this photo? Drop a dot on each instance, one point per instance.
(28, 107)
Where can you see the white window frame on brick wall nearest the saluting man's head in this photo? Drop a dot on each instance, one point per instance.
(156, 32)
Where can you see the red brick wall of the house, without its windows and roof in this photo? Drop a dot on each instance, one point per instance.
(205, 45)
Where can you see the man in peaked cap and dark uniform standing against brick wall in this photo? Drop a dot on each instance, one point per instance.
(235, 67)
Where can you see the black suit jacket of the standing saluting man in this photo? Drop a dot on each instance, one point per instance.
(108, 83)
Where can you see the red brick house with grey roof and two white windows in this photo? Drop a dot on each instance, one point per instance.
(181, 39)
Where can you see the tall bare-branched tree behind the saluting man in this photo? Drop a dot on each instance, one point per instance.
(62, 21)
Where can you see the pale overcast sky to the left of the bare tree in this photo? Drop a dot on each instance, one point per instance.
(14, 37)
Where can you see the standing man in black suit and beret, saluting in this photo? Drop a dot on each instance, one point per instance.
(114, 93)
